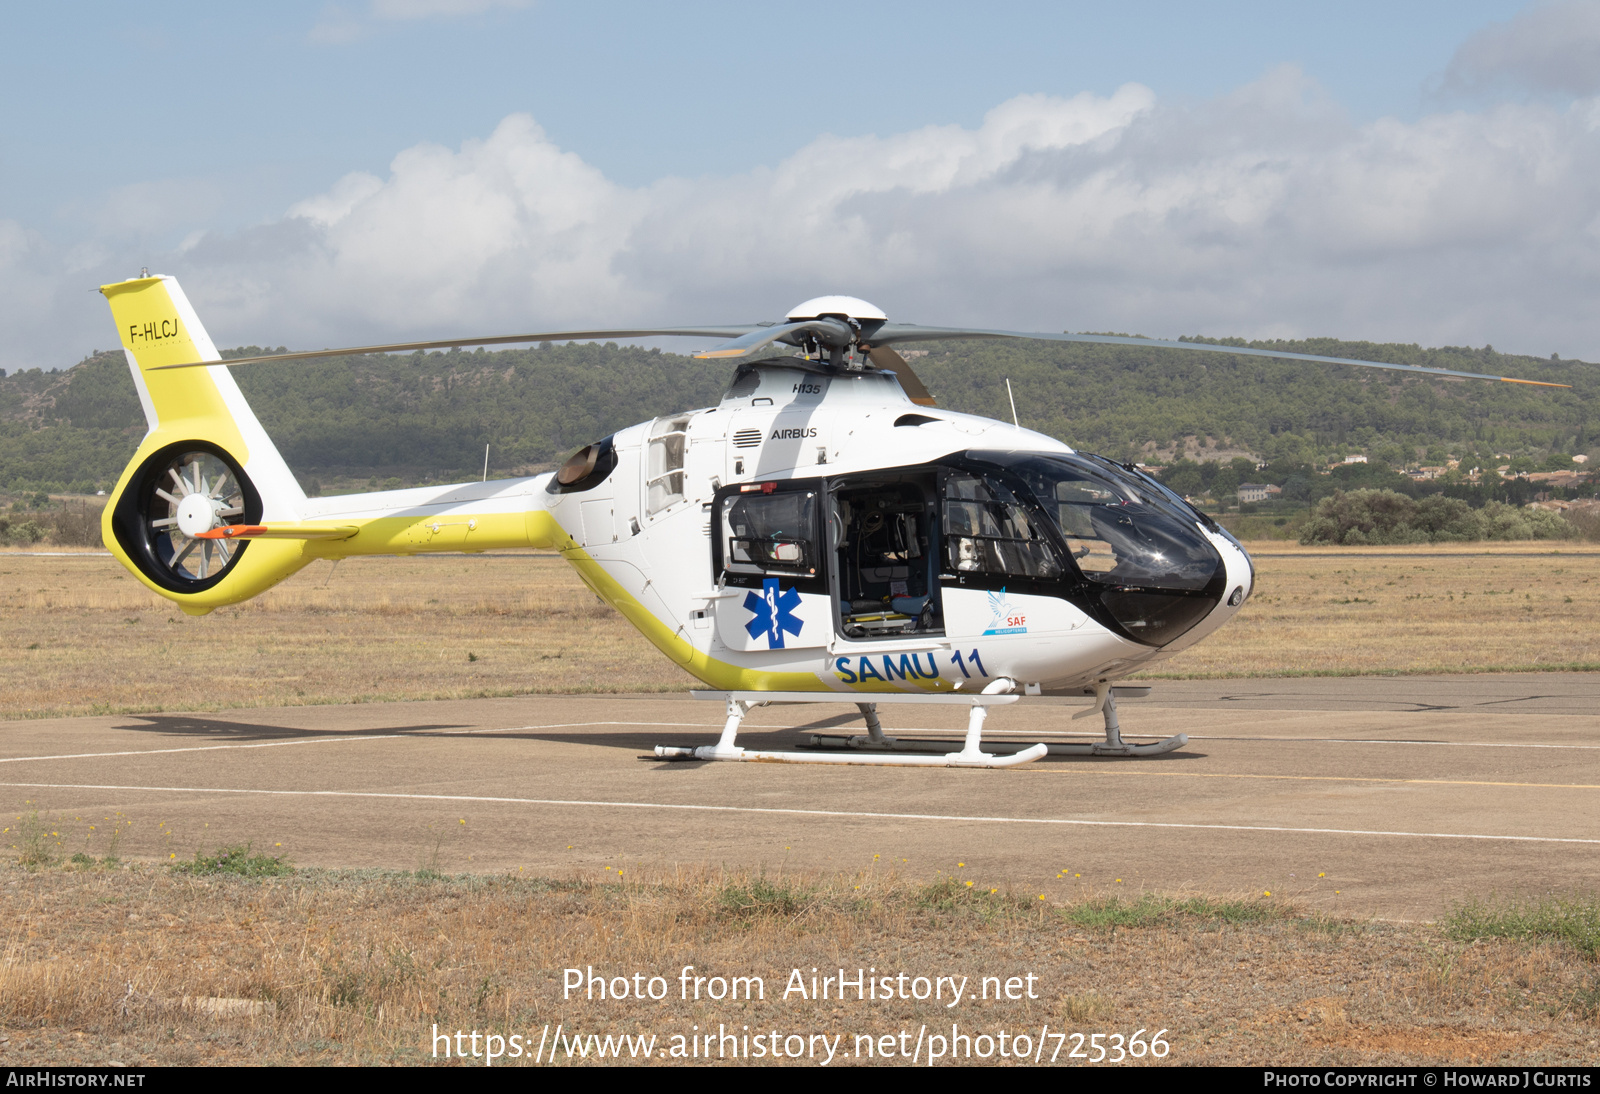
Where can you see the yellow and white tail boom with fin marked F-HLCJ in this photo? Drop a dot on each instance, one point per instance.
(209, 514)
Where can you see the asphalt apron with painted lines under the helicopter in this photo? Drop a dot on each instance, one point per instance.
(1367, 796)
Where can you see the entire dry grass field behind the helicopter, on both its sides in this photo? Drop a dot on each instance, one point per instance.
(84, 637)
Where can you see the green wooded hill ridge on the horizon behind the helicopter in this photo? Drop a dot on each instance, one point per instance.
(426, 417)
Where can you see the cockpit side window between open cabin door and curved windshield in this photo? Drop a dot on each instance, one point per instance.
(988, 530)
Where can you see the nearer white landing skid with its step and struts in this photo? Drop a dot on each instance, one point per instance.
(970, 756)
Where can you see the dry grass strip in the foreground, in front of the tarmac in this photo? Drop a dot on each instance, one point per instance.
(148, 967)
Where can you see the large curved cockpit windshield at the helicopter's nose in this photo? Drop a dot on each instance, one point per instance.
(1118, 529)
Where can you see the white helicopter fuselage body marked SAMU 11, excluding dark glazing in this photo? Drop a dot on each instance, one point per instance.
(652, 537)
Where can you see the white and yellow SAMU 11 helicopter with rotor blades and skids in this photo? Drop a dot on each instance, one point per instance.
(826, 533)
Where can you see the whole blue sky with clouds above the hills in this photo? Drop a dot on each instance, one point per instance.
(383, 170)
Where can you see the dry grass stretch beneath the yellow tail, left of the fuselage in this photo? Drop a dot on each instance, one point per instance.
(84, 637)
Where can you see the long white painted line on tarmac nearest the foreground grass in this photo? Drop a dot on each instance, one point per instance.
(806, 813)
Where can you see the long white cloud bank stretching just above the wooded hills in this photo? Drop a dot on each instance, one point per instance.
(1260, 214)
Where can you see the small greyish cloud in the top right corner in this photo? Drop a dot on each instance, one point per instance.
(1553, 47)
